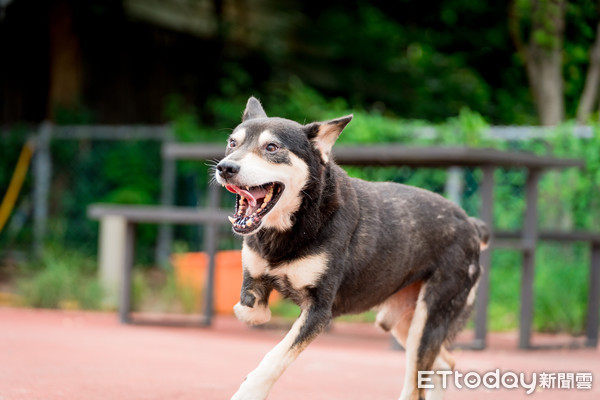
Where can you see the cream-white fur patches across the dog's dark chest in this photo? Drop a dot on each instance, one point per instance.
(300, 273)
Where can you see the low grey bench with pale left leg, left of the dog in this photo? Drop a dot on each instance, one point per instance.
(117, 244)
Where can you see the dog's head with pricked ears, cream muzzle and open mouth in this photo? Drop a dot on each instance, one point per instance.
(269, 162)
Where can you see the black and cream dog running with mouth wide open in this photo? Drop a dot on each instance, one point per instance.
(336, 245)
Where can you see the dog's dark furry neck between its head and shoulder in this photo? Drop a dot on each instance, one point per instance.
(321, 199)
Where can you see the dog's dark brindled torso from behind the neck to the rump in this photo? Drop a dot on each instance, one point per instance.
(388, 236)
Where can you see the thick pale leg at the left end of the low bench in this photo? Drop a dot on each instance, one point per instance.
(111, 249)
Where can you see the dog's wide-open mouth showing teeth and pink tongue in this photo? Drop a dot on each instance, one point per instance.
(252, 204)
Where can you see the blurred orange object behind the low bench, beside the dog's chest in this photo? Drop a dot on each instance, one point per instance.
(190, 271)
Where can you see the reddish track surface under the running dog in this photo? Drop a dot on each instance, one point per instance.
(82, 355)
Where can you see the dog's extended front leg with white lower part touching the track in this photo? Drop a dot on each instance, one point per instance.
(258, 383)
